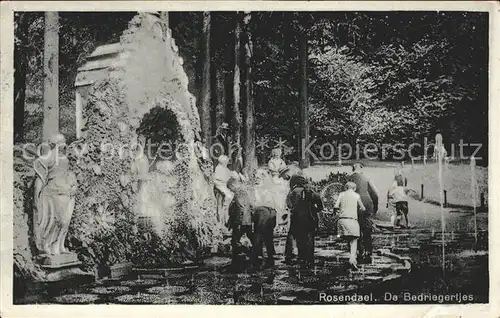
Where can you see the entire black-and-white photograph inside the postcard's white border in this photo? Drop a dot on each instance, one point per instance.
(250, 157)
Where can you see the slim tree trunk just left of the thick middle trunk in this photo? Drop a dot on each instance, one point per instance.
(236, 84)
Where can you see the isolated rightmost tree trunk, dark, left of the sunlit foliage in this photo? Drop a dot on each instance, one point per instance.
(304, 107)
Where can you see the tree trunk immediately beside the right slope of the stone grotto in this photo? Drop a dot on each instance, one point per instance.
(205, 92)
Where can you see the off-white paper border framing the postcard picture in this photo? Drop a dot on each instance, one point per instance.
(6, 177)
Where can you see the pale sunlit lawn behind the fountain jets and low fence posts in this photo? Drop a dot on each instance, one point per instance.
(456, 179)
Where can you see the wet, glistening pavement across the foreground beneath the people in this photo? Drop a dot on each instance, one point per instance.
(401, 257)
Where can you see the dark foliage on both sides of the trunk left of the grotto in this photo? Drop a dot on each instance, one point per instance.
(79, 35)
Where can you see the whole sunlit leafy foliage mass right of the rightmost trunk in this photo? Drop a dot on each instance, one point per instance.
(394, 98)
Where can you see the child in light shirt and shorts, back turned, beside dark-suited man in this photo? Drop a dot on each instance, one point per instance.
(348, 226)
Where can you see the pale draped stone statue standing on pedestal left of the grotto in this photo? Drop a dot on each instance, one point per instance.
(54, 202)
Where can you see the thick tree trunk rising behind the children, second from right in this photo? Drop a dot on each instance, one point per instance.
(249, 159)
